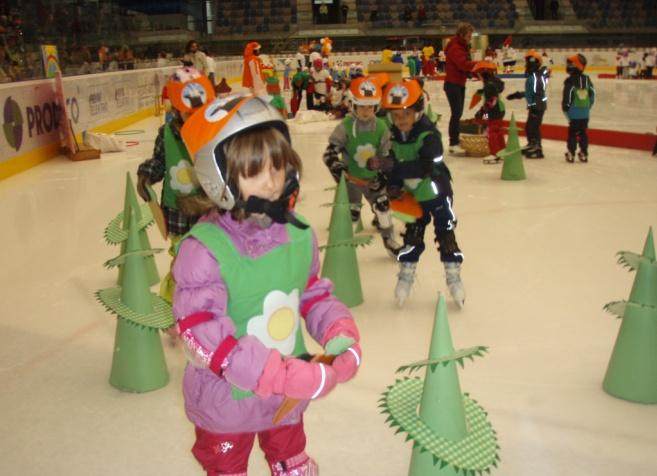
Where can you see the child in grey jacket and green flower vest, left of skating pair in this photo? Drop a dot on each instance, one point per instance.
(357, 146)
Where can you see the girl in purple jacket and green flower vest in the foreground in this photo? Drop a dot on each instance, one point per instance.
(247, 280)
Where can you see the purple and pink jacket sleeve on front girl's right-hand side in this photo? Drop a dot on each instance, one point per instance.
(319, 306)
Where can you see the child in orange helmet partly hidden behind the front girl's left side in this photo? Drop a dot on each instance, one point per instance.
(188, 90)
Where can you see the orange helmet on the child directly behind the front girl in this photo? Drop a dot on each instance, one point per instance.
(188, 89)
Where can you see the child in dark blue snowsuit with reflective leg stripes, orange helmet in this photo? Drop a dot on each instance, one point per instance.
(419, 168)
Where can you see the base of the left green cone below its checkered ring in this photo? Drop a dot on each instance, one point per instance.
(138, 363)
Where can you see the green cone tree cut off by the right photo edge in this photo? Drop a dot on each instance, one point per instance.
(632, 371)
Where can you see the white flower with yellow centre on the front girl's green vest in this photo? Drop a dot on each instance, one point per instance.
(279, 322)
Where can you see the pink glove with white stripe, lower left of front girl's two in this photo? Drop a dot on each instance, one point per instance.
(295, 378)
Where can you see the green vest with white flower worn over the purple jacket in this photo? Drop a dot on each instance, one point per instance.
(264, 292)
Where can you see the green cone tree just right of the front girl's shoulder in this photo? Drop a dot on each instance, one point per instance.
(340, 262)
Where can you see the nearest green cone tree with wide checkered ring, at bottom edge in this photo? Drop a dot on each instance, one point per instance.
(450, 431)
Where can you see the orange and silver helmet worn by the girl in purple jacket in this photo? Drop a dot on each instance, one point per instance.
(207, 130)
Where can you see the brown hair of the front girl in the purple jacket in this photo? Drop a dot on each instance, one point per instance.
(244, 156)
